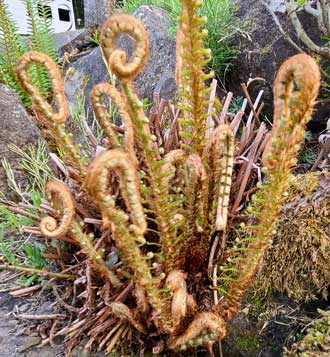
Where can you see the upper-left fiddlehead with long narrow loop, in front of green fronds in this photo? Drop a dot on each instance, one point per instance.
(54, 119)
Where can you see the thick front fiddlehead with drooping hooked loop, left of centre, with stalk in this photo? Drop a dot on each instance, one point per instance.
(128, 237)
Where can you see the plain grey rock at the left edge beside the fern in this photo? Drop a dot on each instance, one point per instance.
(15, 128)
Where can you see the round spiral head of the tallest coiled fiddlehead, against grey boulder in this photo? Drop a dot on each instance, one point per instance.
(114, 26)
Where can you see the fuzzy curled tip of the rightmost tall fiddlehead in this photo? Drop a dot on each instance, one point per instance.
(295, 90)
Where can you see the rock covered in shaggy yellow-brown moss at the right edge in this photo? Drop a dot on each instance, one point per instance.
(297, 263)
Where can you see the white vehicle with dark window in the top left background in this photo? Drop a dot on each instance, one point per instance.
(61, 15)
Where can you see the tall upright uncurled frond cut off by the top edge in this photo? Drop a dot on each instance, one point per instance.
(193, 58)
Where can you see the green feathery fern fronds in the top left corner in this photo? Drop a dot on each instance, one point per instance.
(13, 45)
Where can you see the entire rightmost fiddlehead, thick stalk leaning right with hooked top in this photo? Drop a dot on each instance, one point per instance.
(295, 91)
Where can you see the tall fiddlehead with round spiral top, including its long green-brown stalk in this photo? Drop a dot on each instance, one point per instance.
(156, 196)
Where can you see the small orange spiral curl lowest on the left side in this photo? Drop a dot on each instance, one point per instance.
(60, 196)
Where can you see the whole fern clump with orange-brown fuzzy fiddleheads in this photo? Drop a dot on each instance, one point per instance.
(163, 210)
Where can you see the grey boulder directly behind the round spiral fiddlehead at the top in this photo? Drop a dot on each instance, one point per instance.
(158, 73)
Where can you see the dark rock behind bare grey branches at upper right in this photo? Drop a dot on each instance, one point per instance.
(262, 54)
